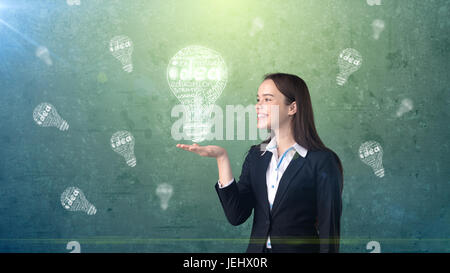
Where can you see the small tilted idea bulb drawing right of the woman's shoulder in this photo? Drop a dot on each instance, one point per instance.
(371, 153)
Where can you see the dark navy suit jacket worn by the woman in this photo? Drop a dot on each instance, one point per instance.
(309, 191)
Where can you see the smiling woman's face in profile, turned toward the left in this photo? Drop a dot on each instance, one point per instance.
(269, 101)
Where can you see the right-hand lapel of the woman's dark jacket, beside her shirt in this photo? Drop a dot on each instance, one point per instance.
(294, 166)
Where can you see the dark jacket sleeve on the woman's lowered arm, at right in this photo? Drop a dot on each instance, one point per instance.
(329, 204)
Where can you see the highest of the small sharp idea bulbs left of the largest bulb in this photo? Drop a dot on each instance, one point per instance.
(121, 47)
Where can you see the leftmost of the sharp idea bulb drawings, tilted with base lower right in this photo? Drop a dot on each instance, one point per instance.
(45, 115)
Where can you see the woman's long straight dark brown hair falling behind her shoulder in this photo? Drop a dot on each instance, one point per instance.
(305, 133)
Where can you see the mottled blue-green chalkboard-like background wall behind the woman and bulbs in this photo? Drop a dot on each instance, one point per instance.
(408, 210)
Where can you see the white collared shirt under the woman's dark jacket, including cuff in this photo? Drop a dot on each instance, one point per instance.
(276, 170)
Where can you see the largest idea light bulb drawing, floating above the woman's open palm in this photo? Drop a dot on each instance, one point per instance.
(197, 76)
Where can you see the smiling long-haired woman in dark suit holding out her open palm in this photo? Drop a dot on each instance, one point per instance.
(296, 197)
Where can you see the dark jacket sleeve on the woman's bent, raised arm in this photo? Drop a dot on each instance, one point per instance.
(237, 199)
